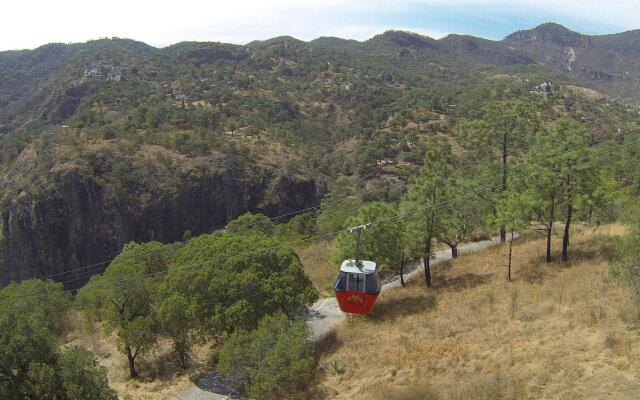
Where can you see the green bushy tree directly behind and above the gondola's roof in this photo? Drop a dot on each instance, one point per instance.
(382, 242)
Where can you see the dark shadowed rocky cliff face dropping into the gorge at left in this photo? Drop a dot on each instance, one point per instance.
(78, 221)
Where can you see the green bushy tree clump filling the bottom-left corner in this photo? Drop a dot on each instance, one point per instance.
(31, 315)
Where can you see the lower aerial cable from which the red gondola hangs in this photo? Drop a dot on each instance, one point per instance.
(399, 216)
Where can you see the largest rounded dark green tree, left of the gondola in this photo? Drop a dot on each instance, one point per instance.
(240, 277)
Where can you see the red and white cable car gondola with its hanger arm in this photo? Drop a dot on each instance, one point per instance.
(358, 284)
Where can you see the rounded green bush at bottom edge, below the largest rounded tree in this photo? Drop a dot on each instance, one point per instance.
(271, 359)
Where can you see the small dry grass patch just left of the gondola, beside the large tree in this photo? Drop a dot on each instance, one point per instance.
(316, 259)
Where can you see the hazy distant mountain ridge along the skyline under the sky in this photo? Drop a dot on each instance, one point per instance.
(607, 63)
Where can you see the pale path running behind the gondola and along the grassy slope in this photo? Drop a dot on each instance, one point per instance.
(325, 313)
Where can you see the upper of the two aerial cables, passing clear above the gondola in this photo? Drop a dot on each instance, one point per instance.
(88, 268)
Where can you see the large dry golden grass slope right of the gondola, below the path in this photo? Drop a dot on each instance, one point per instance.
(559, 331)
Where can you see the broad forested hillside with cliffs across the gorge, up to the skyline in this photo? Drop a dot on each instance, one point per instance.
(113, 140)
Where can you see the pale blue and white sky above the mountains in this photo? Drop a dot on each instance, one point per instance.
(27, 24)
